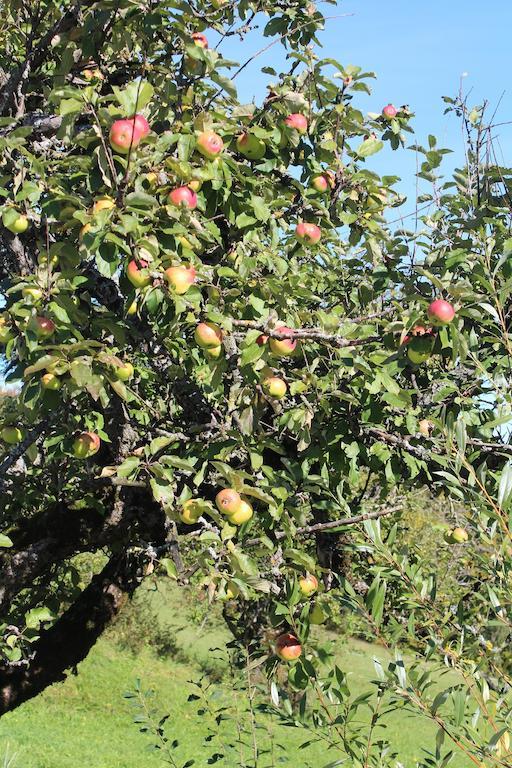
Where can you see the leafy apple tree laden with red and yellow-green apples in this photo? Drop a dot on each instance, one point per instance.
(233, 365)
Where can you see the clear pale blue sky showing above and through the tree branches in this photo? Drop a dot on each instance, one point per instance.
(419, 51)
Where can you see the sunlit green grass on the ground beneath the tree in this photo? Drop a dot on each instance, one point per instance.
(86, 722)
